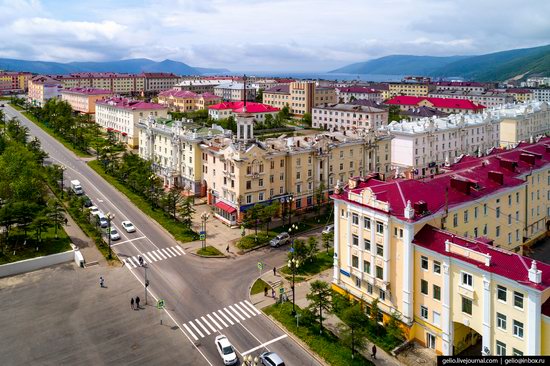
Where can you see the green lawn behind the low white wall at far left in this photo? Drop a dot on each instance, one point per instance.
(49, 245)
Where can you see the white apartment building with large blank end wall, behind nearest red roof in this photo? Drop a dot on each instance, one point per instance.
(423, 146)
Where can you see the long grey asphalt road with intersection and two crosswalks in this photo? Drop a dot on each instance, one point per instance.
(205, 297)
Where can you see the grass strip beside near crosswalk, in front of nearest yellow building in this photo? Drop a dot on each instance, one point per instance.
(325, 345)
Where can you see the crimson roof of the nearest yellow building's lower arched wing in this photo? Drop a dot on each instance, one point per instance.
(503, 262)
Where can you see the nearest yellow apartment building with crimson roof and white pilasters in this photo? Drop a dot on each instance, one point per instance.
(422, 249)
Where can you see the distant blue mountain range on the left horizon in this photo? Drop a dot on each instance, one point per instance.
(136, 65)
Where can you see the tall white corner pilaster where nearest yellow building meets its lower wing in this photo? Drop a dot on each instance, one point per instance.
(408, 272)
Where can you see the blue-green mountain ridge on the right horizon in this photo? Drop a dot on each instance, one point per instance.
(498, 66)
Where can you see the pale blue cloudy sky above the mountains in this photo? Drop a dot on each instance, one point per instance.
(266, 35)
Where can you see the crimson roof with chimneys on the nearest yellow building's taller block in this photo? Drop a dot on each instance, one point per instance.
(466, 181)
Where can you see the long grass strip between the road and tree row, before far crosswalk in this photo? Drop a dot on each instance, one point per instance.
(179, 232)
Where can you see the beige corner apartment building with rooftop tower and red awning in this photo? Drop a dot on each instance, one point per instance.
(243, 172)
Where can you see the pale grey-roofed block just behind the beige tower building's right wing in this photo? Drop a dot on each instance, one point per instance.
(341, 117)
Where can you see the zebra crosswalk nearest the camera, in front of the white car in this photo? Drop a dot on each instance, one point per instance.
(220, 319)
